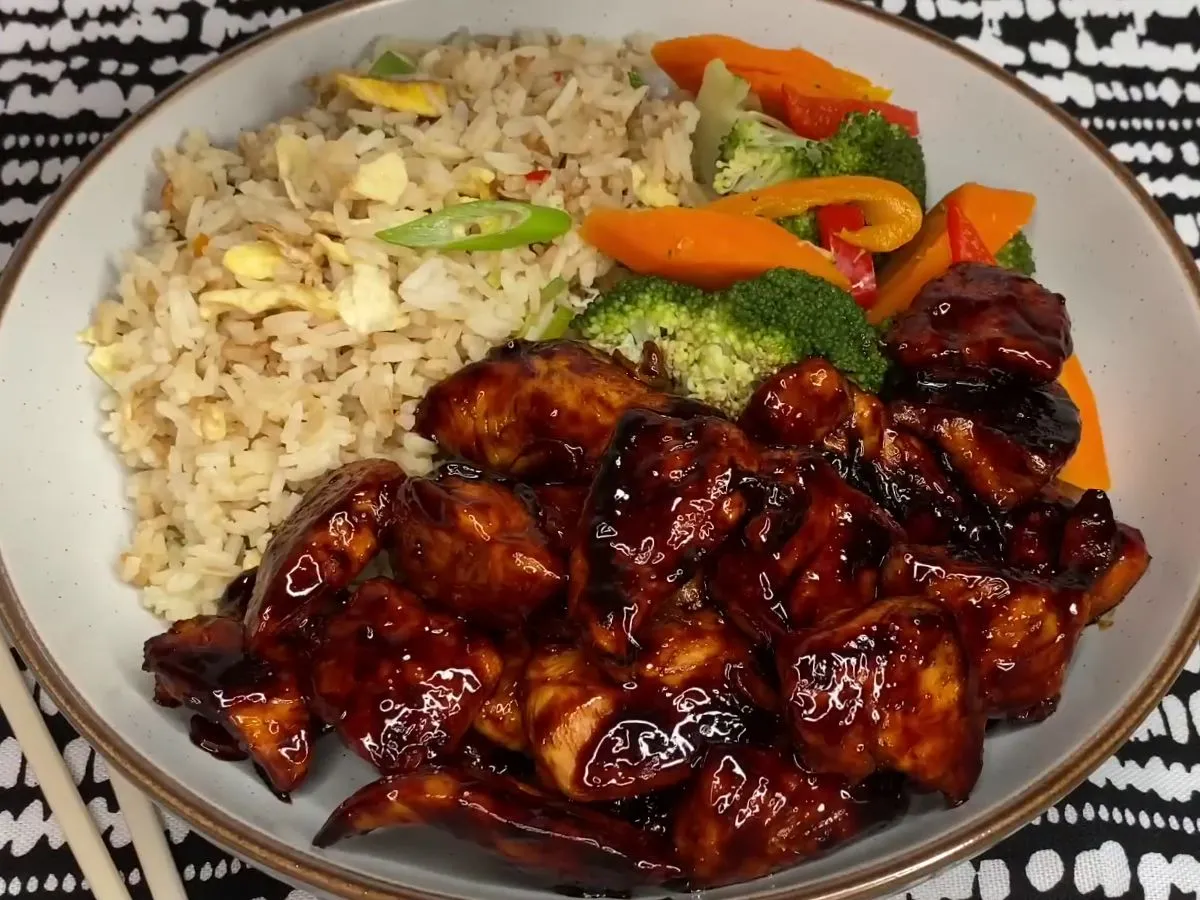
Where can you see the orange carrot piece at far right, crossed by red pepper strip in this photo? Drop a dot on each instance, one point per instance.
(997, 215)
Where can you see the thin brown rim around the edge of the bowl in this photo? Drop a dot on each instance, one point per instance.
(302, 867)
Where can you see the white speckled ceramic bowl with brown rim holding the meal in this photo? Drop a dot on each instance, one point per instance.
(1132, 292)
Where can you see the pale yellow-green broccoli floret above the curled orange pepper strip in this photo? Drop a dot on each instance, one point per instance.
(757, 154)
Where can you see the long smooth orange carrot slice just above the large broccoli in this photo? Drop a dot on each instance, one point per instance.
(699, 247)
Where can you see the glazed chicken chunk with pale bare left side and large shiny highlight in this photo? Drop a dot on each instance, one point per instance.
(601, 731)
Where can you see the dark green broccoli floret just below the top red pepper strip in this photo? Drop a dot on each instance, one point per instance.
(868, 145)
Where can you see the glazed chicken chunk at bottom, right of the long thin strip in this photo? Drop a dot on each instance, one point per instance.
(753, 812)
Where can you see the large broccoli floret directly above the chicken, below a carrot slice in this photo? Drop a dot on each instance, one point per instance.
(718, 347)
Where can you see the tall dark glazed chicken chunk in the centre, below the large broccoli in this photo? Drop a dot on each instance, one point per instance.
(667, 495)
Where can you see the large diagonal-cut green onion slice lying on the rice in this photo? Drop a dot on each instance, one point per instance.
(482, 225)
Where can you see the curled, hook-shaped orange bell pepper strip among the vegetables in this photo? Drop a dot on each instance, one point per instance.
(893, 213)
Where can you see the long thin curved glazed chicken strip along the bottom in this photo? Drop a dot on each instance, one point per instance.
(517, 821)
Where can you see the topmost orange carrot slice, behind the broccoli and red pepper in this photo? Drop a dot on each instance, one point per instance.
(767, 70)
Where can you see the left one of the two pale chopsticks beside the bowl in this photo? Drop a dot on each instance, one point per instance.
(58, 787)
